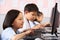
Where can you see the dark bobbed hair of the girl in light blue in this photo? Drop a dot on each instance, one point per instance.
(10, 17)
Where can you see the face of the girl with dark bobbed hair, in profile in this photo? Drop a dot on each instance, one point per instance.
(18, 22)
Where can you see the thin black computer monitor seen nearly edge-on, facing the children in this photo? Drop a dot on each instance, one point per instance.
(54, 20)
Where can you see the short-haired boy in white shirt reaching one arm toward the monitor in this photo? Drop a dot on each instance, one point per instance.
(30, 13)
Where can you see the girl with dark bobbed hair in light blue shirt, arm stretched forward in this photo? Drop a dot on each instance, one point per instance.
(13, 21)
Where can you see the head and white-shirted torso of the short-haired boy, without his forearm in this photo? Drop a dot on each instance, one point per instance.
(30, 14)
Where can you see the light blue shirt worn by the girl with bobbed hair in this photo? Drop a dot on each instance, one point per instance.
(7, 34)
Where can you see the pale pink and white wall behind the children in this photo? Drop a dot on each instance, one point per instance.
(44, 6)
